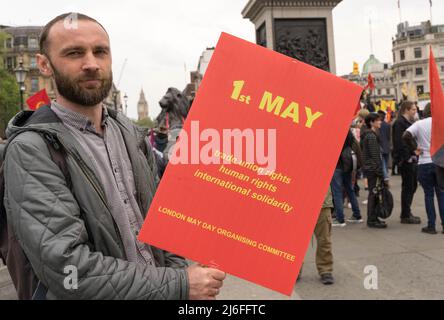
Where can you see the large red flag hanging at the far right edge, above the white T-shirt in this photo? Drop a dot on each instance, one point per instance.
(437, 108)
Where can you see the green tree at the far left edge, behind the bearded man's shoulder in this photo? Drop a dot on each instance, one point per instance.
(9, 99)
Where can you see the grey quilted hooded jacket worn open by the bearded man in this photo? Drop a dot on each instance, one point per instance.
(60, 227)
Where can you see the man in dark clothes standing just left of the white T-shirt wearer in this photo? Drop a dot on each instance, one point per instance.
(407, 160)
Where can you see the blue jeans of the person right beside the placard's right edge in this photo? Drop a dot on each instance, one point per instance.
(343, 181)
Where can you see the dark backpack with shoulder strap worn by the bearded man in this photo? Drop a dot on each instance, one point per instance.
(23, 276)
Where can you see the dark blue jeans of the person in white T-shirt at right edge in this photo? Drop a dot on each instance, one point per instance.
(427, 178)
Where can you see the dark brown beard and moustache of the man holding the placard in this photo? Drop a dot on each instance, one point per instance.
(71, 89)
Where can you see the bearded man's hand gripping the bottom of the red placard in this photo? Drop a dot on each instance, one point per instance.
(204, 282)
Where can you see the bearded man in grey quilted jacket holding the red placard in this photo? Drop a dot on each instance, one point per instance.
(88, 219)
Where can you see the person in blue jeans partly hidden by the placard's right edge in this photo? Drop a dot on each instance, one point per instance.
(342, 181)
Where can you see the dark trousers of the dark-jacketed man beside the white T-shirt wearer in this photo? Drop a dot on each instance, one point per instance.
(408, 188)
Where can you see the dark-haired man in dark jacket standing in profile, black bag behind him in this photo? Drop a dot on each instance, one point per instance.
(372, 166)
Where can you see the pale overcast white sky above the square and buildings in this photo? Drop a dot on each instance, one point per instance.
(159, 38)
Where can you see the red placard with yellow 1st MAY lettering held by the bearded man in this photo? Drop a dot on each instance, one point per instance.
(252, 221)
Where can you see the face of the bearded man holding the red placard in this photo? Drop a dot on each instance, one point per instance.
(80, 62)
